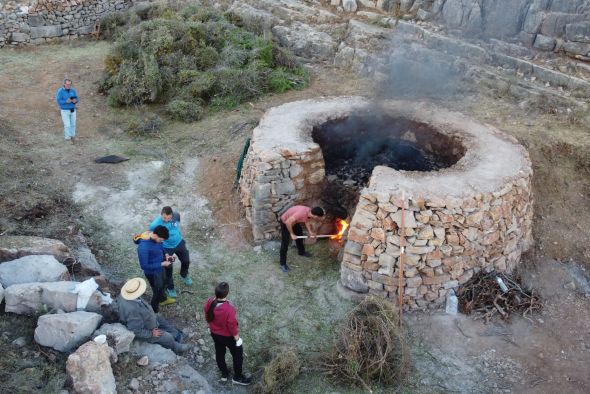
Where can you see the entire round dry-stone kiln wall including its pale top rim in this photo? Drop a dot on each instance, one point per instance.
(474, 215)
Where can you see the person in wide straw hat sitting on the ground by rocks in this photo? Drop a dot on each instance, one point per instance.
(139, 317)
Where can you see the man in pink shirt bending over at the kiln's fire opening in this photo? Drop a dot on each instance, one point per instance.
(291, 227)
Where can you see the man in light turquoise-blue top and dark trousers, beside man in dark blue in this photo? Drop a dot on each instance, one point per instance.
(173, 245)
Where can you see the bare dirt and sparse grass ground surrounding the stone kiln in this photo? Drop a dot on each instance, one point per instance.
(48, 186)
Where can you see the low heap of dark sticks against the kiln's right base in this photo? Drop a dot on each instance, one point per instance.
(489, 295)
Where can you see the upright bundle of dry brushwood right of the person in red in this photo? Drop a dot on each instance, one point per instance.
(371, 348)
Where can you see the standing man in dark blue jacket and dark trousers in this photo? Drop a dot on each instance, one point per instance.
(151, 259)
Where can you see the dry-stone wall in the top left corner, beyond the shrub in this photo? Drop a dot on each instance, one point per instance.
(38, 21)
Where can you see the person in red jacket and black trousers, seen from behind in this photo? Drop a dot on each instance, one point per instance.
(223, 326)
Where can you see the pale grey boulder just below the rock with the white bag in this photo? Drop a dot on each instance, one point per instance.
(65, 331)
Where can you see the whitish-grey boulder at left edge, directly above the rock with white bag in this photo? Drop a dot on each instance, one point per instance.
(42, 268)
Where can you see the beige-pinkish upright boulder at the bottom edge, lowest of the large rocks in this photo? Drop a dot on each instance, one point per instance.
(89, 369)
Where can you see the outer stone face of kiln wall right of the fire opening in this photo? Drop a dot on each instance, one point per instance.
(447, 240)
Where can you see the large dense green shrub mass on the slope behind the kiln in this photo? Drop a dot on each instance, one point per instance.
(195, 58)
